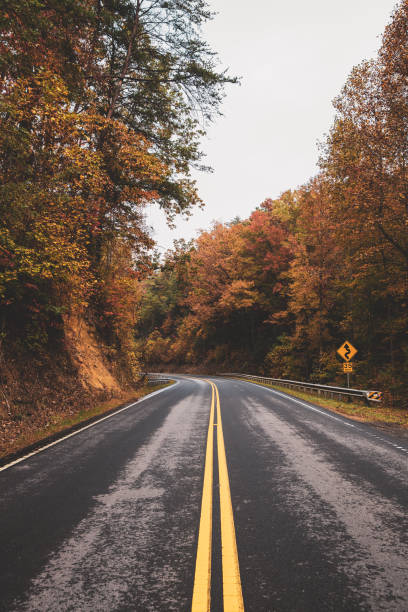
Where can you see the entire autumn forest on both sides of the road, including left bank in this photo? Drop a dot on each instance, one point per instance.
(103, 105)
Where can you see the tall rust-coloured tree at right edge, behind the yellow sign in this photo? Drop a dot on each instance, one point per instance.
(365, 164)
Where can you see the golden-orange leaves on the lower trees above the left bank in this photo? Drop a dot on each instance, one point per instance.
(70, 181)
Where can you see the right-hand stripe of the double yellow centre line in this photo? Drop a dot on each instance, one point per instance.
(231, 580)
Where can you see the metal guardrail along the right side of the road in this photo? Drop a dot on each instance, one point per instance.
(325, 390)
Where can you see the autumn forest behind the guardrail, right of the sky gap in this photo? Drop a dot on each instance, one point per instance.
(279, 292)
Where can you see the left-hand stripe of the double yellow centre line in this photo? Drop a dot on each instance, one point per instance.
(202, 578)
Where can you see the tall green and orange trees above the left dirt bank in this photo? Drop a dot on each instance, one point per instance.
(99, 116)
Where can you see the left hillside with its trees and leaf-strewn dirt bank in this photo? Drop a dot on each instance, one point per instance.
(101, 110)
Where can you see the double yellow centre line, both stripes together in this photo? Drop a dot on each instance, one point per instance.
(231, 581)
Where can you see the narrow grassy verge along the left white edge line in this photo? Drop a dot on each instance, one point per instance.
(59, 423)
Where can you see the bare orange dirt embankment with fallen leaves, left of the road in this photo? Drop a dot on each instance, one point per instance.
(39, 391)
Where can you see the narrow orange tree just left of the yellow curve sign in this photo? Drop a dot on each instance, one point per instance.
(316, 275)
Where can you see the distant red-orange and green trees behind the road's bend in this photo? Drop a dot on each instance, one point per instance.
(232, 281)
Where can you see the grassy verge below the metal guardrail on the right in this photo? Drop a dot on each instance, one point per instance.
(376, 413)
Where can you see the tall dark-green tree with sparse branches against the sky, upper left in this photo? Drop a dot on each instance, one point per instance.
(152, 71)
